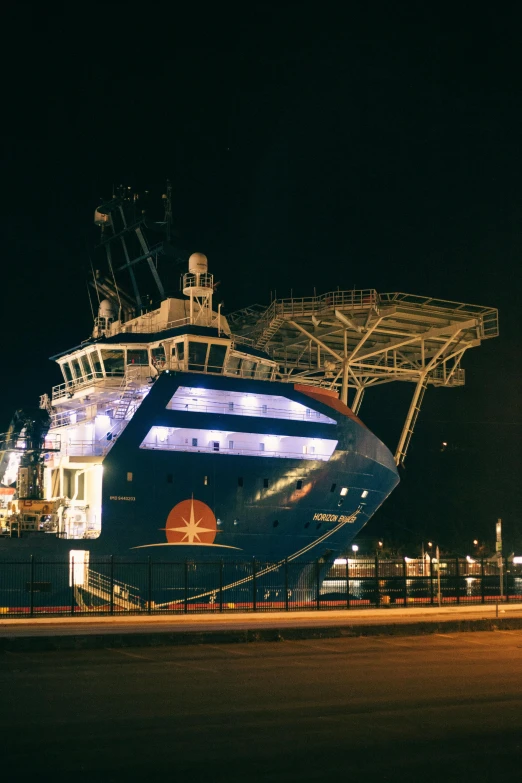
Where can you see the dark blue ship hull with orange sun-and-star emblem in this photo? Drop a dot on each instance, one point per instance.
(266, 507)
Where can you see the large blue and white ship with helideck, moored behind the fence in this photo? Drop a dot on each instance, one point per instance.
(181, 434)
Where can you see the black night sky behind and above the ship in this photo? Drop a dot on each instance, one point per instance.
(309, 146)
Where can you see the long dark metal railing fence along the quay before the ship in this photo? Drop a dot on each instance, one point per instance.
(115, 585)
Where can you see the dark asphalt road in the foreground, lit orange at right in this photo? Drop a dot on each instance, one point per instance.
(446, 707)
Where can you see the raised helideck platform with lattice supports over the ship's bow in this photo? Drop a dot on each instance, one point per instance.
(357, 339)
